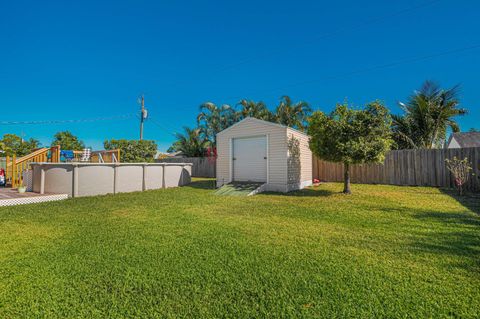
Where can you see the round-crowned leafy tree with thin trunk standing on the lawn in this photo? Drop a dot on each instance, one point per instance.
(351, 136)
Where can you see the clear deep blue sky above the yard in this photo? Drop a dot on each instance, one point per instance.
(70, 60)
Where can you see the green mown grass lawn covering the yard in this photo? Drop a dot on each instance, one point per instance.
(384, 251)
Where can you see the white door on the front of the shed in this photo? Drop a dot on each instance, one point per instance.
(250, 159)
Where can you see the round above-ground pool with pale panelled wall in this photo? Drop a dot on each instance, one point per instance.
(88, 179)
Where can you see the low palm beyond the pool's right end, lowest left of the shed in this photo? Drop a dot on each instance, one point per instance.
(192, 143)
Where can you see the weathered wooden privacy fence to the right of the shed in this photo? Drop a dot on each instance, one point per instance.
(405, 167)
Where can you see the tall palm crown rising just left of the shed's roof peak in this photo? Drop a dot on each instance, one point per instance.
(213, 119)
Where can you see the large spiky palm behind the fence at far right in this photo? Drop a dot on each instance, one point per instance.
(428, 114)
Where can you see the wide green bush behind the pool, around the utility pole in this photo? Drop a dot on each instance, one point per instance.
(133, 151)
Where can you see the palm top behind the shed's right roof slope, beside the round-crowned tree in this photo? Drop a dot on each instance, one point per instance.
(292, 114)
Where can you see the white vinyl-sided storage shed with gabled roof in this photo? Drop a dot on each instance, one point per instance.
(253, 150)
